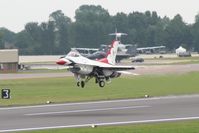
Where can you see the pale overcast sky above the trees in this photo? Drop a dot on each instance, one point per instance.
(14, 14)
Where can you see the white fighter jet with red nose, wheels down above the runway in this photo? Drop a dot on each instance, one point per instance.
(103, 70)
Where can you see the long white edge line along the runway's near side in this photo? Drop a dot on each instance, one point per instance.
(100, 124)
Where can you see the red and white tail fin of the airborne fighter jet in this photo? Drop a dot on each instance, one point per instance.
(111, 54)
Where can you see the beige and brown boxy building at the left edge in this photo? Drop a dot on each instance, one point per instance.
(9, 59)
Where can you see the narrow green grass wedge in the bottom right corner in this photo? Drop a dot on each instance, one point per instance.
(165, 127)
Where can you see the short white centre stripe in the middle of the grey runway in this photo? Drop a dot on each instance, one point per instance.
(86, 110)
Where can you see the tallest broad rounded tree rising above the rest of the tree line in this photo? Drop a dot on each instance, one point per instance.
(92, 26)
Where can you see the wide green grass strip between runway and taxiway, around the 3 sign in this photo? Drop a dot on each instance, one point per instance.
(57, 90)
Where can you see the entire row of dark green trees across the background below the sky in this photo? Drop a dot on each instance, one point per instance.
(91, 27)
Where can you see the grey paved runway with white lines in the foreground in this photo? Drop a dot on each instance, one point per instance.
(114, 112)
